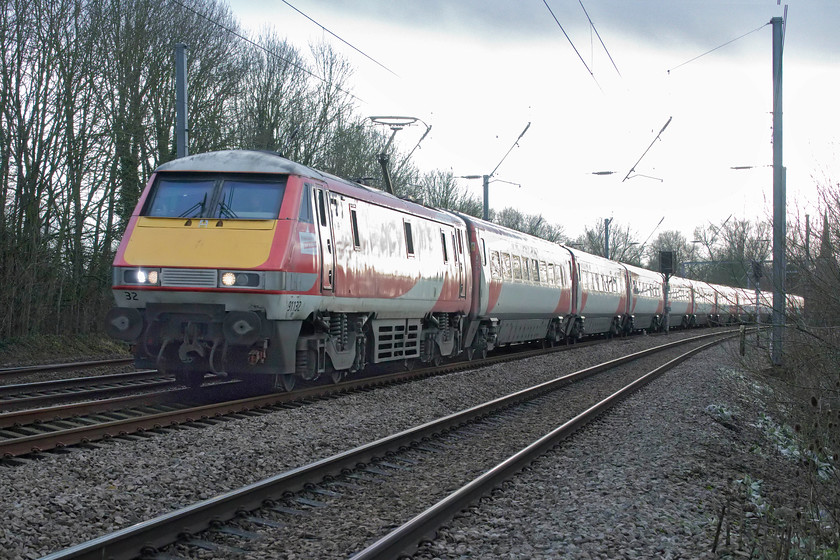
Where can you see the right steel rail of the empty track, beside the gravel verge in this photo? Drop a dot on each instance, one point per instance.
(404, 539)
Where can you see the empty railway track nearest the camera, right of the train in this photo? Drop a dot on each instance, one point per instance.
(298, 501)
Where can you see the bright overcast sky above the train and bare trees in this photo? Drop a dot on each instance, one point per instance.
(478, 71)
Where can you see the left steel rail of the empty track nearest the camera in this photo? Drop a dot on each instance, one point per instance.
(167, 528)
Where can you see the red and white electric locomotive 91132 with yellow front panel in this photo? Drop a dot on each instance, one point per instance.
(246, 263)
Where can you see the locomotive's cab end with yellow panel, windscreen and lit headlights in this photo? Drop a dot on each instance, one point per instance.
(216, 265)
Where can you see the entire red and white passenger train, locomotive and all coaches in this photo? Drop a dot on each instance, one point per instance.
(247, 264)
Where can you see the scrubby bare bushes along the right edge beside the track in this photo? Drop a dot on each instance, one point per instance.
(802, 520)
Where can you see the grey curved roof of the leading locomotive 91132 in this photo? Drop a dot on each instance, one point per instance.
(256, 161)
